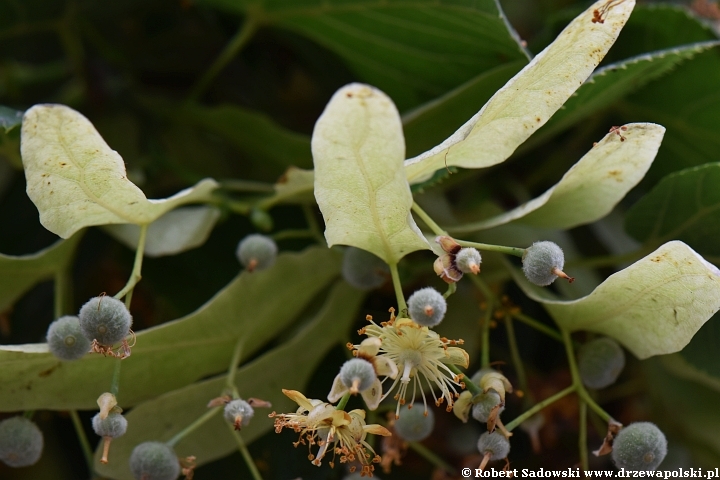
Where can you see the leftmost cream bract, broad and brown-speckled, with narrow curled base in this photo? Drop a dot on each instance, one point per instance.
(76, 180)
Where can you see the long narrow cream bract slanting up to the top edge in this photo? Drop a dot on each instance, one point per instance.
(527, 101)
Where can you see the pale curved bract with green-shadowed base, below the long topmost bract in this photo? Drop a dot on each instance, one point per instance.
(592, 187)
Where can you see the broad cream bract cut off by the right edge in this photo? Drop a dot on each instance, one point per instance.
(653, 307)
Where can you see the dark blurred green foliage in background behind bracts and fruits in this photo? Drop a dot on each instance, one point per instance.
(230, 89)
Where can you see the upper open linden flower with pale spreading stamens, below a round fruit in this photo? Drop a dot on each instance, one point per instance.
(418, 352)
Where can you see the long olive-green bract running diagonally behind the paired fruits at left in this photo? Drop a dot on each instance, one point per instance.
(259, 305)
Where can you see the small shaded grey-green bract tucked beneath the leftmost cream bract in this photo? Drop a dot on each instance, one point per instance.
(175, 232)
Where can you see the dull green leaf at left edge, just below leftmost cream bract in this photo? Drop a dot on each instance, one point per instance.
(18, 274)
